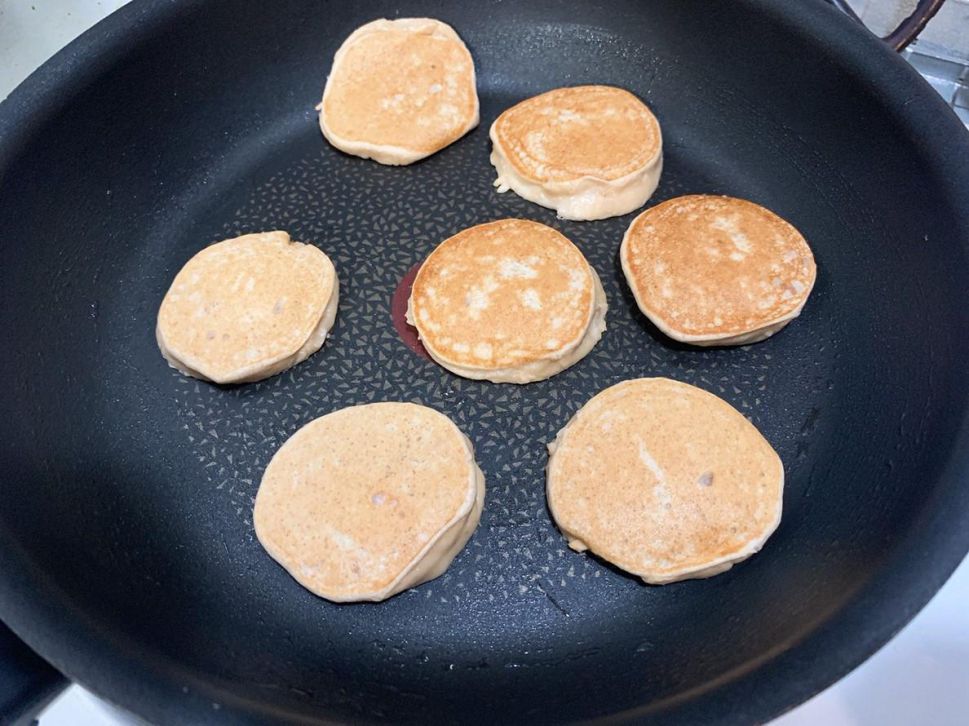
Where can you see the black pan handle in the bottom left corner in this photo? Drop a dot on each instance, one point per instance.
(27, 682)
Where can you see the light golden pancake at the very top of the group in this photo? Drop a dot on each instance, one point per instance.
(399, 90)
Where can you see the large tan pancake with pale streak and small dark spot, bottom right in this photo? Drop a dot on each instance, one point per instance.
(664, 480)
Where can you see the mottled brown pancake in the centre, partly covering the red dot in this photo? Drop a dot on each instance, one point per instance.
(511, 301)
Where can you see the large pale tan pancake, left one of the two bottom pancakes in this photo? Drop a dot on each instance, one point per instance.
(370, 500)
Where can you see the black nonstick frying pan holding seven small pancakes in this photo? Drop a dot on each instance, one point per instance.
(127, 556)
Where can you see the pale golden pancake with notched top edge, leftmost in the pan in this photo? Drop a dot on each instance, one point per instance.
(247, 308)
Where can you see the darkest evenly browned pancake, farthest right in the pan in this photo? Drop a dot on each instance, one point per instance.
(712, 270)
